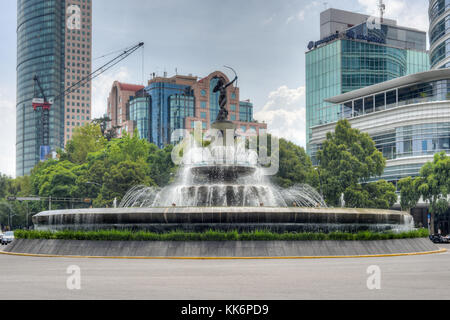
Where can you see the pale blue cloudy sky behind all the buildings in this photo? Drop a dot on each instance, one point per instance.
(263, 40)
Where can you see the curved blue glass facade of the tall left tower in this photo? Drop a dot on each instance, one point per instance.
(40, 51)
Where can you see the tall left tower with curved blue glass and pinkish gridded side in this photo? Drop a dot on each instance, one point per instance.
(53, 43)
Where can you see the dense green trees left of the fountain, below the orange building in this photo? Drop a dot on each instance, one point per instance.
(92, 167)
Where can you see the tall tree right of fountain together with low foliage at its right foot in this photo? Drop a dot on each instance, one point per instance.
(347, 160)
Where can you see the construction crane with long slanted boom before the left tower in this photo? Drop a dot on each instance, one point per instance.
(41, 103)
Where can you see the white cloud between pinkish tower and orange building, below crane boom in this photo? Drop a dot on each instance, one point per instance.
(101, 88)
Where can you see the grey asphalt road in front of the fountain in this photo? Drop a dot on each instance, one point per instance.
(413, 277)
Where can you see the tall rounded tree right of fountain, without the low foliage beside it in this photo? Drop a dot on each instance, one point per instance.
(347, 158)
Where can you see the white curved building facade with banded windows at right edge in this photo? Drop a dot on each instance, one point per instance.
(408, 123)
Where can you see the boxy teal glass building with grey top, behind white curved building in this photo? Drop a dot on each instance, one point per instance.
(354, 53)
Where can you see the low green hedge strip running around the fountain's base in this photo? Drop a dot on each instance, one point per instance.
(260, 235)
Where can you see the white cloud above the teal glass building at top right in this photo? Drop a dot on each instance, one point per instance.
(407, 13)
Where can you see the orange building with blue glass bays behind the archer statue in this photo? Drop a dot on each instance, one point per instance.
(171, 103)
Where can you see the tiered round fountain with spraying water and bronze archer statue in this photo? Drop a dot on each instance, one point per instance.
(224, 186)
